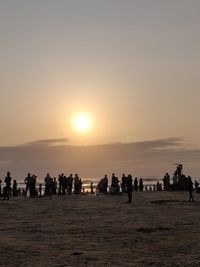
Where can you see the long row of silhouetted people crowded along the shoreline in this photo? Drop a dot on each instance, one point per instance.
(73, 185)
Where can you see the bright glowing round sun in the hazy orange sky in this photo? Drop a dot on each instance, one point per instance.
(82, 122)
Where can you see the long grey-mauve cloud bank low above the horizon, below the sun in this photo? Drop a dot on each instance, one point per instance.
(57, 155)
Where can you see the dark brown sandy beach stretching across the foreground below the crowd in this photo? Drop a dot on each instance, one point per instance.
(158, 229)
